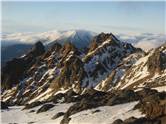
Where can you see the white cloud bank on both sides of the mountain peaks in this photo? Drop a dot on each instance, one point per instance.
(146, 41)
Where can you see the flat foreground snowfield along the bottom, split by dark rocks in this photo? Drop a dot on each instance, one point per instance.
(106, 115)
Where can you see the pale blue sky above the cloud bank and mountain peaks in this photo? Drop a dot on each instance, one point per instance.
(118, 17)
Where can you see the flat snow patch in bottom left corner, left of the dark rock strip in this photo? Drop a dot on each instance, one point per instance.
(16, 115)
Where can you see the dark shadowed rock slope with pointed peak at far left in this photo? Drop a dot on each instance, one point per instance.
(14, 70)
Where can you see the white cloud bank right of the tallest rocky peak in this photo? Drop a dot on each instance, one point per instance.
(146, 41)
